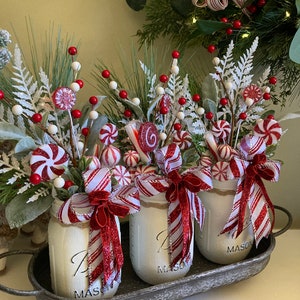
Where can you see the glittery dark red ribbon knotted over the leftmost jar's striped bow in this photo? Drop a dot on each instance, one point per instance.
(103, 219)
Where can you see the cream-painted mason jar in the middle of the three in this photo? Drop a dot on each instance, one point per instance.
(148, 236)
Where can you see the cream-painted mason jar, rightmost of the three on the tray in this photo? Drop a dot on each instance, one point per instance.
(217, 247)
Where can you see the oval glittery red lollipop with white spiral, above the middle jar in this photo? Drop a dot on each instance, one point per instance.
(148, 137)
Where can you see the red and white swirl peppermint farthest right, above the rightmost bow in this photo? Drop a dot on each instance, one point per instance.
(270, 130)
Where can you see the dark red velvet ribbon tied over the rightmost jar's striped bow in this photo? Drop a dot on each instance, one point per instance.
(255, 172)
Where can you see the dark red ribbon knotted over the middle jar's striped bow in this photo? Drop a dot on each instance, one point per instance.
(178, 191)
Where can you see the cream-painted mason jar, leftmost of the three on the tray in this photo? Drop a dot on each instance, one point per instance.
(68, 246)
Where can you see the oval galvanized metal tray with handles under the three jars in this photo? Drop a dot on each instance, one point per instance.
(203, 275)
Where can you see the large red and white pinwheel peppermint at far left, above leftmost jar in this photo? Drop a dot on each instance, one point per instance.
(48, 161)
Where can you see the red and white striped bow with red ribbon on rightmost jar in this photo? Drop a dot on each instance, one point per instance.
(251, 192)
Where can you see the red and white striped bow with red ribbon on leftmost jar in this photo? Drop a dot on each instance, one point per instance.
(100, 207)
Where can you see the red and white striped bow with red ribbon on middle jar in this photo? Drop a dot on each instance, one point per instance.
(181, 193)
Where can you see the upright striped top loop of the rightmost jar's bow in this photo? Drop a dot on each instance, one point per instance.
(251, 145)
